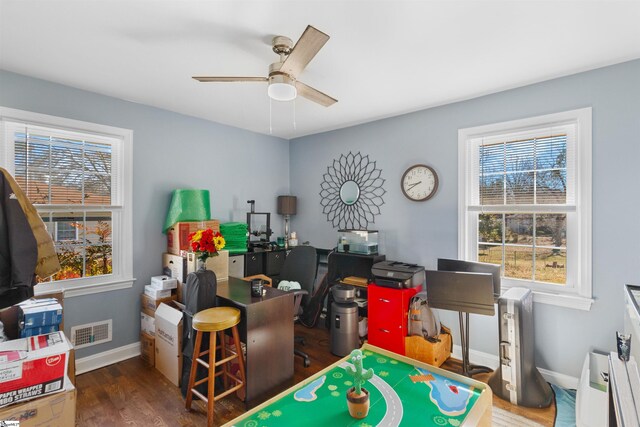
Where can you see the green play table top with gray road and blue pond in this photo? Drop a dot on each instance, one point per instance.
(403, 392)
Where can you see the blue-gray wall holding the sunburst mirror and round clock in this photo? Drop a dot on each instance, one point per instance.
(422, 232)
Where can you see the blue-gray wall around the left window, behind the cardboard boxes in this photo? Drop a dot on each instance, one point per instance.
(169, 151)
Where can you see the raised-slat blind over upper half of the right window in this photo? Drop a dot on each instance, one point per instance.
(524, 171)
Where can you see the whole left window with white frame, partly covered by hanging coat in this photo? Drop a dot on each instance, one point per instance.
(78, 177)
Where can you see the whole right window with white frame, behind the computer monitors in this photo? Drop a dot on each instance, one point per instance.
(525, 203)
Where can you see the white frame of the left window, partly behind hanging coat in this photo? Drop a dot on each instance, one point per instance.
(122, 275)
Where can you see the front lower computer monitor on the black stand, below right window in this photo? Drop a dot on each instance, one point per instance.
(460, 291)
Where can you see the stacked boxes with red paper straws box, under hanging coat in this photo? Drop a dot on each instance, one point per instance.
(37, 372)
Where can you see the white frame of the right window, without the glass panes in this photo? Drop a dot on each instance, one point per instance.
(578, 291)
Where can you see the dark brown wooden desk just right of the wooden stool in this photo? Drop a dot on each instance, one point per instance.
(266, 327)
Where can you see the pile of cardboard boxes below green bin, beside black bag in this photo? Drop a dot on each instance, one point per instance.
(161, 317)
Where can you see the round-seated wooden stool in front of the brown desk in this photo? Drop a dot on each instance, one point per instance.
(215, 321)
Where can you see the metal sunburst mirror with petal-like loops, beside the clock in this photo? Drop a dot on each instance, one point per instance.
(351, 191)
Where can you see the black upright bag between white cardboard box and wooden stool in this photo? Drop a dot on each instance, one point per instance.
(199, 293)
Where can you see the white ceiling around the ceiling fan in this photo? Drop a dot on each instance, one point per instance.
(384, 58)
